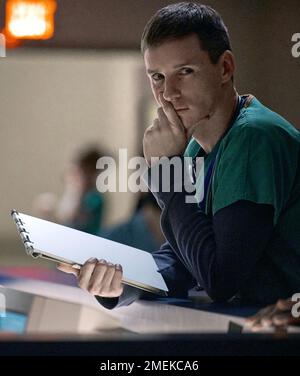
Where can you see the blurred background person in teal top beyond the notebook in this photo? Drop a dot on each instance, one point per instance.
(81, 206)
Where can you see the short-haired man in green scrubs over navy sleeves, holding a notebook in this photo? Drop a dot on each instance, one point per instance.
(243, 239)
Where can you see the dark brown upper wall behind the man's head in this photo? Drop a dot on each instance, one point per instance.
(261, 32)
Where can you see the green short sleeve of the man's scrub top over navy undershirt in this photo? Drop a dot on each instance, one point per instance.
(254, 164)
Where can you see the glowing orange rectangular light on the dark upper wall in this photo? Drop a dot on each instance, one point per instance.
(30, 19)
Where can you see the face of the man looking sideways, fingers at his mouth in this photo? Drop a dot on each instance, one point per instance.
(185, 75)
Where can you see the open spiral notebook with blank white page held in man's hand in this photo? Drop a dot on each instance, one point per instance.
(62, 244)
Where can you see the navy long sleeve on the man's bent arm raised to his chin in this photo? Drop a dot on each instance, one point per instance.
(219, 252)
